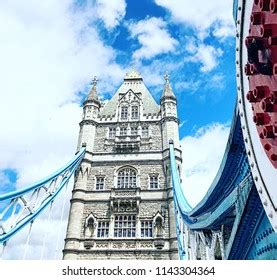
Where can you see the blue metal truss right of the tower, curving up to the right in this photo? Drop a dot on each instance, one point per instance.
(231, 201)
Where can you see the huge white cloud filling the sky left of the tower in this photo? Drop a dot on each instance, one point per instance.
(49, 51)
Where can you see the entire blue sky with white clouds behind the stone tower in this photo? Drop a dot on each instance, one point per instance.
(51, 49)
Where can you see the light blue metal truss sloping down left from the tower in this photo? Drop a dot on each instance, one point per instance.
(20, 208)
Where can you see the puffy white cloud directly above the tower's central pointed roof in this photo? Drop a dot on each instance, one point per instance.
(153, 37)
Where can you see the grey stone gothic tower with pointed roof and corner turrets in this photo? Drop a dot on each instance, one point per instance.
(122, 205)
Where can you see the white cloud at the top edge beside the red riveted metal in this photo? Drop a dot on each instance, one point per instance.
(202, 15)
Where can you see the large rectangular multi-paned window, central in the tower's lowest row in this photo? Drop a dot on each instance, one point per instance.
(125, 226)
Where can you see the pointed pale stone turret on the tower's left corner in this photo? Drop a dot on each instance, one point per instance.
(91, 107)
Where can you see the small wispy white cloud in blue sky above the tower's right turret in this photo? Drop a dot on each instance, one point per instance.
(206, 55)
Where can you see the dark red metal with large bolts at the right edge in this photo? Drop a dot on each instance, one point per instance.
(261, 70)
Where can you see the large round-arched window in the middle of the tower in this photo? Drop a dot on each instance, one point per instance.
(127, 181)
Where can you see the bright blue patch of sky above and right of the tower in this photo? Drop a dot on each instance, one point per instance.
(205, 96)
